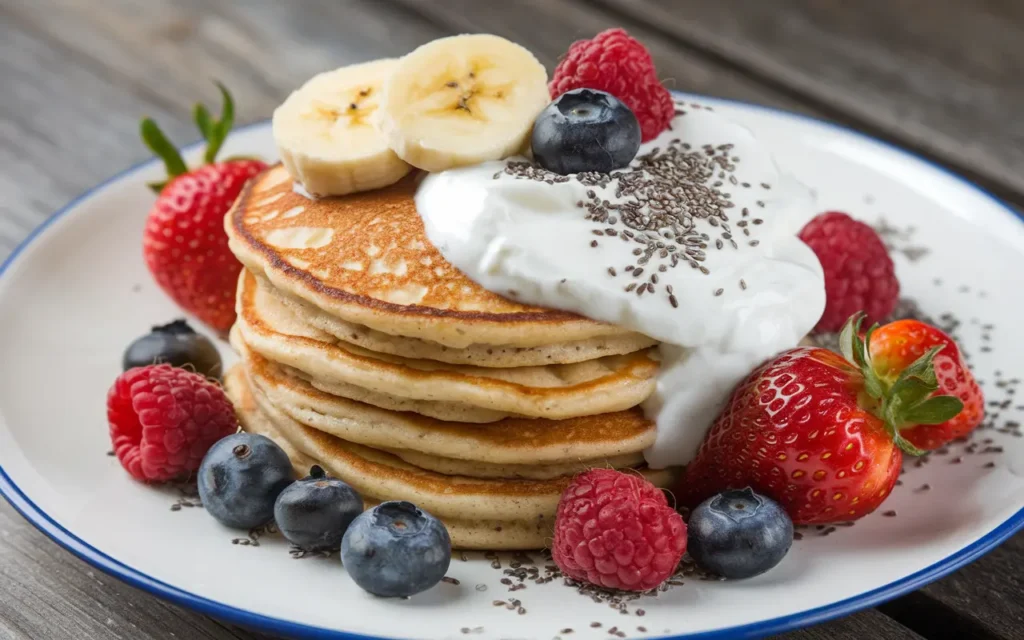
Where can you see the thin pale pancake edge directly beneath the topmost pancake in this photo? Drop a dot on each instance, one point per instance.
(481, 356)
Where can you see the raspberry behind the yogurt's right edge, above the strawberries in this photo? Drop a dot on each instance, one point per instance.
(860, 274)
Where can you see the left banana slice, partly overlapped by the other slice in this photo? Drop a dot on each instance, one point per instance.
(326, 136)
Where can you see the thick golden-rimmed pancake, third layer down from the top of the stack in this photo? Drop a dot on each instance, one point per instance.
(556, 392)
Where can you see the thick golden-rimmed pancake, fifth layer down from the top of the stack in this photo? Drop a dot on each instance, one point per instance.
(594, 440)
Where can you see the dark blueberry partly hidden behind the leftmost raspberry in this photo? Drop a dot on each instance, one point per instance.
(179, 346)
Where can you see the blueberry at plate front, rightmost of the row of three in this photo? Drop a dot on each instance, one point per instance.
(397, 550)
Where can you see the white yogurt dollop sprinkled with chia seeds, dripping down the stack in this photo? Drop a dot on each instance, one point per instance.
(695, 245)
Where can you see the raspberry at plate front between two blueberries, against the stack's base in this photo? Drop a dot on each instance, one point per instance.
(617, 531)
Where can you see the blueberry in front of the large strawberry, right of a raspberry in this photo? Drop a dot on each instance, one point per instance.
(739, 534)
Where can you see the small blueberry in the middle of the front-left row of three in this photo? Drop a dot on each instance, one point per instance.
(314, 514)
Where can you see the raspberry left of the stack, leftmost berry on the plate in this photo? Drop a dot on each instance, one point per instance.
(163, 420)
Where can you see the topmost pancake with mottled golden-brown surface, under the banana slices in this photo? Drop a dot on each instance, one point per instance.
(366, 260)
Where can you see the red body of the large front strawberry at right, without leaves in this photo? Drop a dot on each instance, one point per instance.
(795, 432)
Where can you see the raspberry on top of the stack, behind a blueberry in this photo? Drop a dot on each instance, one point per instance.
(616, 63)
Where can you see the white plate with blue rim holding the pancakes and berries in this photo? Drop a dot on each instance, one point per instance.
(77, 291)
